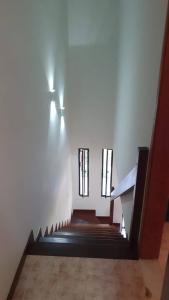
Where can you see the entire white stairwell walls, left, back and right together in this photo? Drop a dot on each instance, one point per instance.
(112, 99)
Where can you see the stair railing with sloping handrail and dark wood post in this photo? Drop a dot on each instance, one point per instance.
(134, 181)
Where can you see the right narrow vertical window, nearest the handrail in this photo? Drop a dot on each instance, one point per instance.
(107, 163)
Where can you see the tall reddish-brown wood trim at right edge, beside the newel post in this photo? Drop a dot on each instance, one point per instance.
(157, 188)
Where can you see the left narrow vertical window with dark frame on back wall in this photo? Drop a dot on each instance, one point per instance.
(83, 172)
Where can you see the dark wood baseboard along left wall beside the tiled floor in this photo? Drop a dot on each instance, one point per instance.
(20, 267)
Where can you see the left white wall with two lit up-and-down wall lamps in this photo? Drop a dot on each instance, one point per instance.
(35, 169)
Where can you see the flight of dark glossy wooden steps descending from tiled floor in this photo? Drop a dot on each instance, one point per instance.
(84, 240)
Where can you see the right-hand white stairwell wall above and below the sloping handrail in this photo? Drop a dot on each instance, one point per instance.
(140, 44)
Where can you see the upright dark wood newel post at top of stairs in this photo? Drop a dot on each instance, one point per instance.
(139, 195)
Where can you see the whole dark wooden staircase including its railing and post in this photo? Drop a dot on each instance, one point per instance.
(87, 237)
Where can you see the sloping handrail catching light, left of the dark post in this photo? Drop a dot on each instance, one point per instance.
(126, 184)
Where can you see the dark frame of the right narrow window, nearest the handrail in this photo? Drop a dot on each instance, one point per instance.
(111, 175)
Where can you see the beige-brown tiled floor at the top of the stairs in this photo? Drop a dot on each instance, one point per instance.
(65, 278)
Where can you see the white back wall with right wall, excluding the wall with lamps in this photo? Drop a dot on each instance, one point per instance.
(114, 62)
